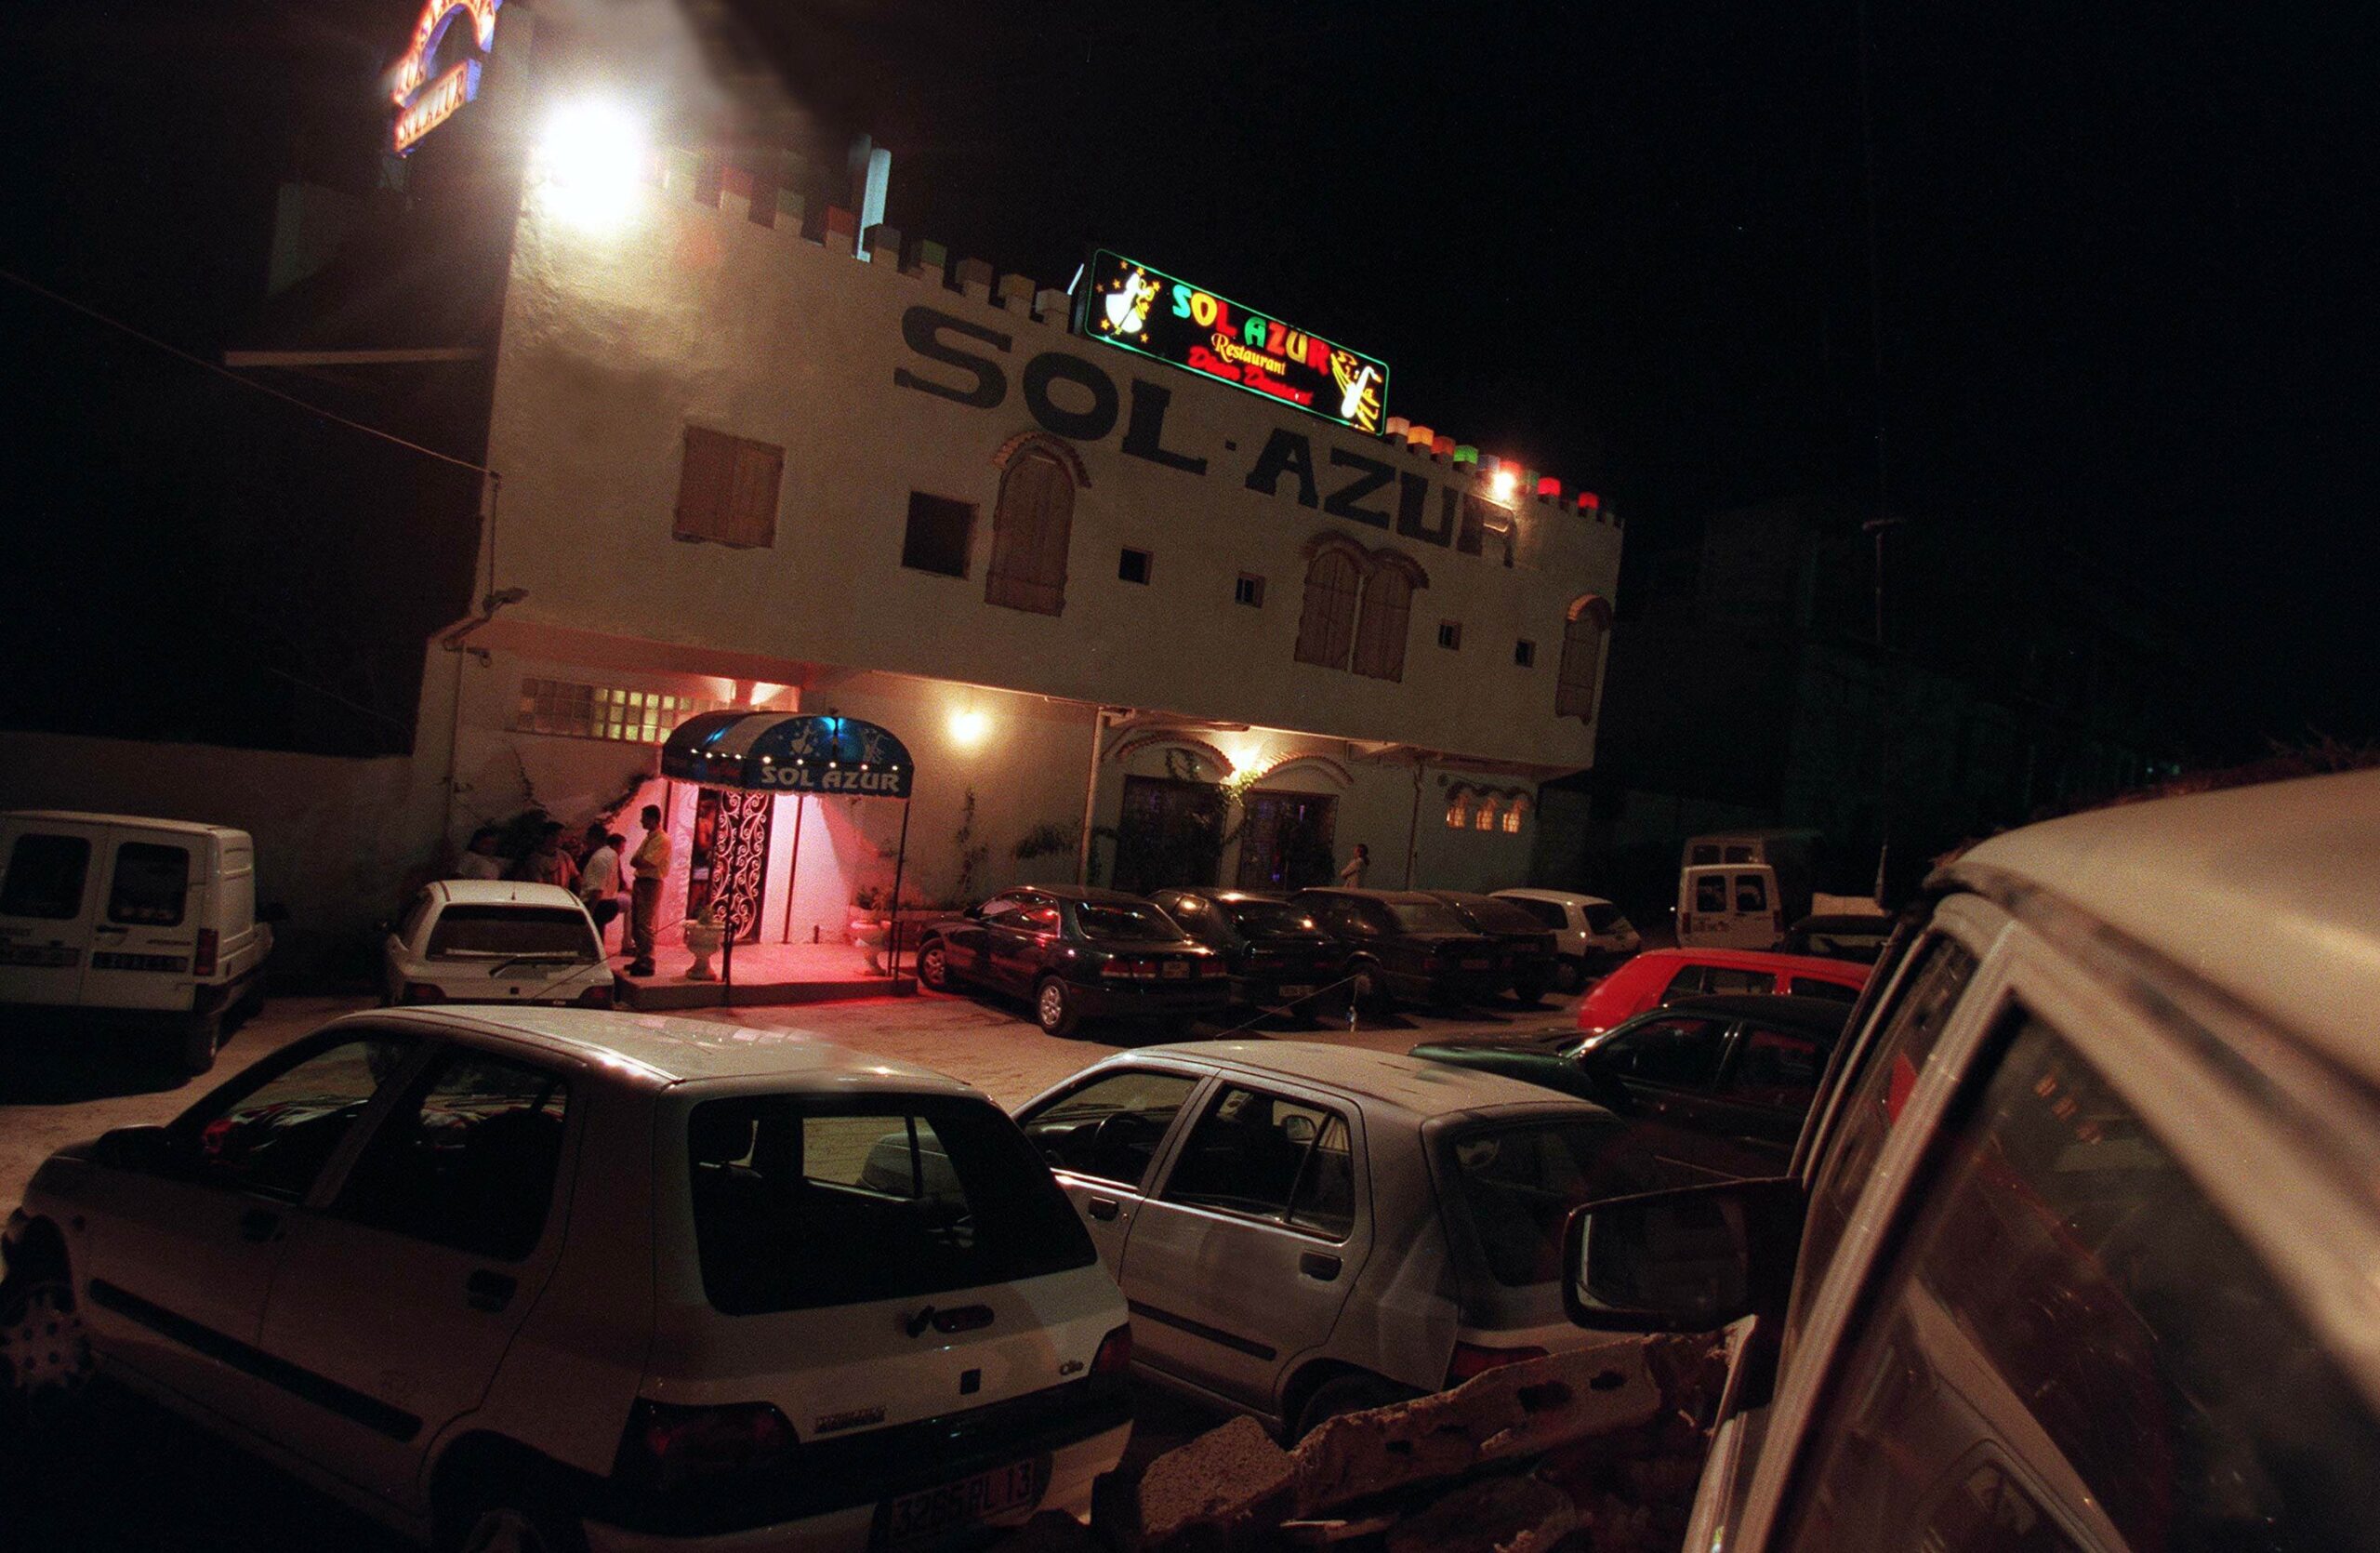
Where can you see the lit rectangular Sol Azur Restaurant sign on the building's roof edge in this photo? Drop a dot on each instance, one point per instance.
(1146, 311)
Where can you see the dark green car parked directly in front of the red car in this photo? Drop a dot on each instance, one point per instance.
(1715, 1085)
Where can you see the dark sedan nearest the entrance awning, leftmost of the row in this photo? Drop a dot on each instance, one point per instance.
(1077, 954)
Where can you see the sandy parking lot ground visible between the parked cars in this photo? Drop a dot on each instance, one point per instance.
(144, 1483)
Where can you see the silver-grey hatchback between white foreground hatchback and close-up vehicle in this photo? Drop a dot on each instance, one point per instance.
(1310, 1230)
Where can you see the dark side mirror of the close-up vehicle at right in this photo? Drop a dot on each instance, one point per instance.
(1684, 1261)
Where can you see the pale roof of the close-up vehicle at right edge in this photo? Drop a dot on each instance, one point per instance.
(2262, 892)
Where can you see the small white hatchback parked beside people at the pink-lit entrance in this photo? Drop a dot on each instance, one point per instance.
(496, 942)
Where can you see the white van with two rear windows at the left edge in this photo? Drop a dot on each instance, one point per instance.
(149, 921)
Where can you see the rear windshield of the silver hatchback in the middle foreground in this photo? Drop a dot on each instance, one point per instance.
(1520, 1185)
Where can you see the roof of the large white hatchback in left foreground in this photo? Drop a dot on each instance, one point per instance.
(656, 1052)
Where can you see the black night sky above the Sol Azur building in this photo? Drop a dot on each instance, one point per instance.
(2122, 256)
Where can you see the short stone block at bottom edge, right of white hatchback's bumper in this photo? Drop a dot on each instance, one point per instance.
(1225, 1490)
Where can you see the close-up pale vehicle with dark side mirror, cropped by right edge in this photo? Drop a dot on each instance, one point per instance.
(2081, 1249)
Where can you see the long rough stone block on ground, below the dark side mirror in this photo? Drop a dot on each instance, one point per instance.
(1498, 1416)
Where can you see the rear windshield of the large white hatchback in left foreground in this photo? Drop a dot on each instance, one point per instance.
(810, 1202)
